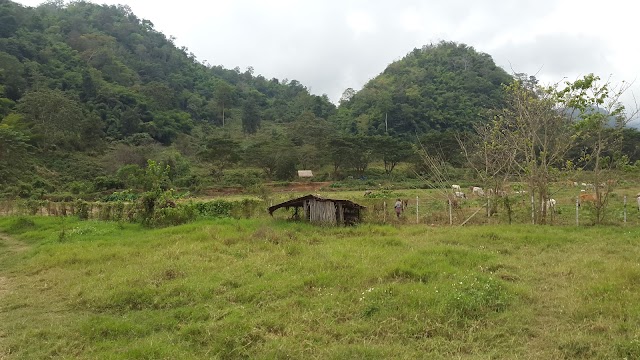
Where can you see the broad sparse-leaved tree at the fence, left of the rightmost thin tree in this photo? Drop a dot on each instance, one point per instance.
(528, 138)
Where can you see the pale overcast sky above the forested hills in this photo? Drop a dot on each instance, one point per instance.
(332, 45)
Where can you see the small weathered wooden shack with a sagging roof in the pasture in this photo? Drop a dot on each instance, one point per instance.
(323, 211)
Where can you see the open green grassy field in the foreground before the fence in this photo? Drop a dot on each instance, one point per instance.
(265, 289)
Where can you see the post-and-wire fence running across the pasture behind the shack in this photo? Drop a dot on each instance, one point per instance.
(620, 210)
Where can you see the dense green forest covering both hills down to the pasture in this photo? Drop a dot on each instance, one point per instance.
(91, 95)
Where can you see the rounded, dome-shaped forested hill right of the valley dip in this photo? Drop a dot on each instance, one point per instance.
(447, 86)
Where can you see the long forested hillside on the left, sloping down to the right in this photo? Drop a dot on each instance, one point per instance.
(81, 74)
